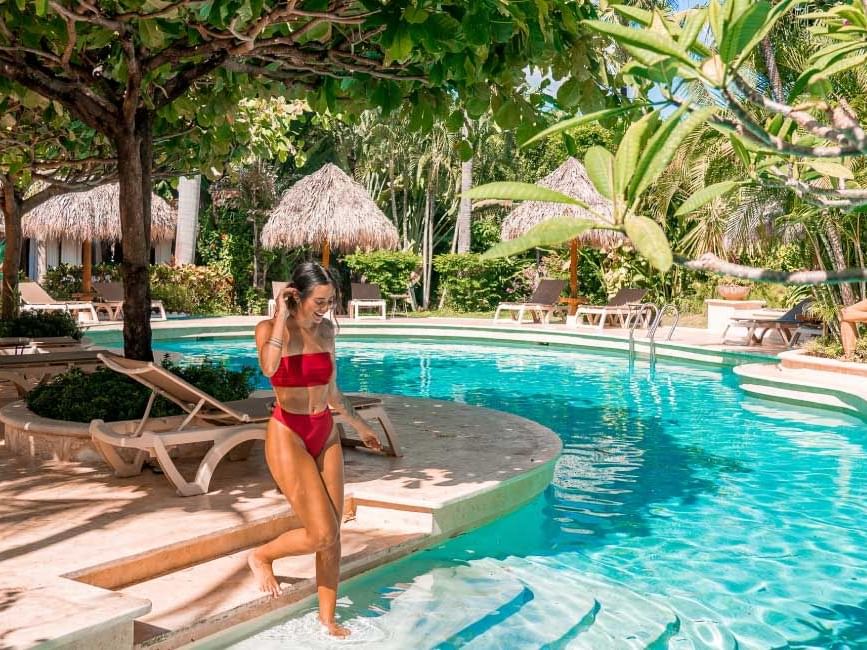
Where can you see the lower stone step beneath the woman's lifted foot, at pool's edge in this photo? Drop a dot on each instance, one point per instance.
(205, 598)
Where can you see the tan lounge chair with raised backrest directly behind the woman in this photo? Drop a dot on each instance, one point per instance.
(225, 424)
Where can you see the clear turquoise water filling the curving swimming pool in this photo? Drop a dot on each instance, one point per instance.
(682, 514)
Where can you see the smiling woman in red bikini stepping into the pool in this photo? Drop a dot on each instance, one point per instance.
(302, 446)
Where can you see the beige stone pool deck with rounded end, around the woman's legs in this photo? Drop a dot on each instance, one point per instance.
(91, 561)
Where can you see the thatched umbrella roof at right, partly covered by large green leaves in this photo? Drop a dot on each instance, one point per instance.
(571, 179)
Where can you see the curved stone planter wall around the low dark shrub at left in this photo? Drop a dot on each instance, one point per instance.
(33, 436)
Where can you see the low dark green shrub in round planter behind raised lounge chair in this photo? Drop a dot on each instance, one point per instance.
(81, 397)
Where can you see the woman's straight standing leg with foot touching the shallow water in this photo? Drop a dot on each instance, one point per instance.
(330, 464)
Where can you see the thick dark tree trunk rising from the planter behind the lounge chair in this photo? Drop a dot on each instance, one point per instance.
(133, 146)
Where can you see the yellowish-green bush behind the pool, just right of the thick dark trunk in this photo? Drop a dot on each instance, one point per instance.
(194, 289)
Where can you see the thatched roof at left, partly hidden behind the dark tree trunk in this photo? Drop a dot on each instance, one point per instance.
(93, 215)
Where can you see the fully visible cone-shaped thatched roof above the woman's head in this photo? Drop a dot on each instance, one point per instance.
(328, 206)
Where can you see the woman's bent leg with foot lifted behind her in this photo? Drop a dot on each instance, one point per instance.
(297, 475)
